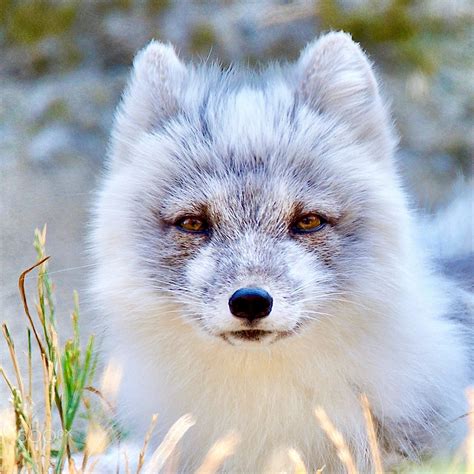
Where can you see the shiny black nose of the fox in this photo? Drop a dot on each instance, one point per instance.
(250, 303)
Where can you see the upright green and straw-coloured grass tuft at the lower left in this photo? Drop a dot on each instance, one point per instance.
(46, 443)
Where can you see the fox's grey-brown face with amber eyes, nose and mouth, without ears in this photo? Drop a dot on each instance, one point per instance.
(245, 254)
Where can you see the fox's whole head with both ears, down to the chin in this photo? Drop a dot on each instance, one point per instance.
(247, 207)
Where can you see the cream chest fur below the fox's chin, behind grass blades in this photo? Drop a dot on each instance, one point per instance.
(269, 415)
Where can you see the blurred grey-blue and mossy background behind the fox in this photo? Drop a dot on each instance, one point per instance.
(64, 64)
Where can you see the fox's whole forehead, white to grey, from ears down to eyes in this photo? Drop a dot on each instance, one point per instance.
(246, 143)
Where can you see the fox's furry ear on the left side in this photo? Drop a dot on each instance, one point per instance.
(150, 97)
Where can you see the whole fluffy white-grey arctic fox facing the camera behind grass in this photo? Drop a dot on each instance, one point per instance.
(257, 258)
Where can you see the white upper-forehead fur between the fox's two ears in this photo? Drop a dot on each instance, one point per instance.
(271, 124)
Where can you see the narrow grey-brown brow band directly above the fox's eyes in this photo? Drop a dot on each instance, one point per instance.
(254, 193)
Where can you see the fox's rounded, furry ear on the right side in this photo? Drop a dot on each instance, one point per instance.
(335, 77)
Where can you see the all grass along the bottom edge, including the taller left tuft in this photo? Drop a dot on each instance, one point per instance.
(30, 442)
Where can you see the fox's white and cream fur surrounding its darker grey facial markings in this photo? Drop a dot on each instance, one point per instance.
(389, 340)
